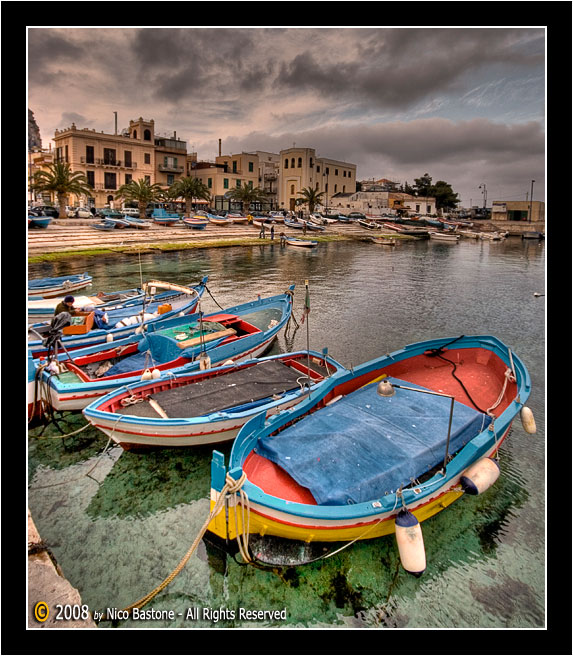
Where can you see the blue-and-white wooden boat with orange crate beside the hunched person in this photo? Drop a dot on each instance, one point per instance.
(121, 322)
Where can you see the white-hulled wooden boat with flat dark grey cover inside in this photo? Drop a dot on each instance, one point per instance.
(209, 406)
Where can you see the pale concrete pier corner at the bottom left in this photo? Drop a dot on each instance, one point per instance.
(48, 588)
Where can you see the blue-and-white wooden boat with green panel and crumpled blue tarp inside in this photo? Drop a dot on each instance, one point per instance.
(72, 380)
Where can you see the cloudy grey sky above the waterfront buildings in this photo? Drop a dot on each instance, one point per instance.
(466, 105)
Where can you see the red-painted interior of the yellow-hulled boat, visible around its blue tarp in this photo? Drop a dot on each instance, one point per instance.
(481, 372)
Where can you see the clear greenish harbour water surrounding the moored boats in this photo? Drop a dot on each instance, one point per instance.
(119, 523)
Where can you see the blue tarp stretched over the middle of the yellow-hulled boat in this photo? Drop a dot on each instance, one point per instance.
(365, 445)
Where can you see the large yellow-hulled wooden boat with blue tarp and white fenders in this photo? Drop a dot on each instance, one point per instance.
(376, 451)
